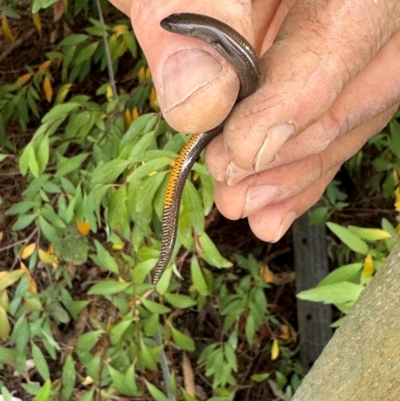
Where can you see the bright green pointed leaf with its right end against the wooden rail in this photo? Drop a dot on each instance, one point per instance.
(333, 293)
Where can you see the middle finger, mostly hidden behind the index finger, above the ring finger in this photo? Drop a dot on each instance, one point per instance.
(375, 89)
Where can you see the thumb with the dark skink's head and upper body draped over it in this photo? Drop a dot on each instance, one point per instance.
(196, 86)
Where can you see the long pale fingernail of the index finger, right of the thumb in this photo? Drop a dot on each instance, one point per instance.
(275, 138)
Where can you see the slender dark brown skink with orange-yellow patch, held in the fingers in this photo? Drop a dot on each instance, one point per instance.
(241, 55)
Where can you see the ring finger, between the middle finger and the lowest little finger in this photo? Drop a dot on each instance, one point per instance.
(280, 183)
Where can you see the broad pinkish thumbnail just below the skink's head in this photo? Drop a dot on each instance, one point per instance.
(184, 73)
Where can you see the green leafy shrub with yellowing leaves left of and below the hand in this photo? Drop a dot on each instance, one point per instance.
(79, 318)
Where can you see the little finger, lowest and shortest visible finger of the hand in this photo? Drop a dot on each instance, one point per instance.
(271, 222)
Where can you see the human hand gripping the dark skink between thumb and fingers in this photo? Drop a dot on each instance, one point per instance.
(331, 81)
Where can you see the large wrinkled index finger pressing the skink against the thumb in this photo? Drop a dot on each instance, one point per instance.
(315, 56)
